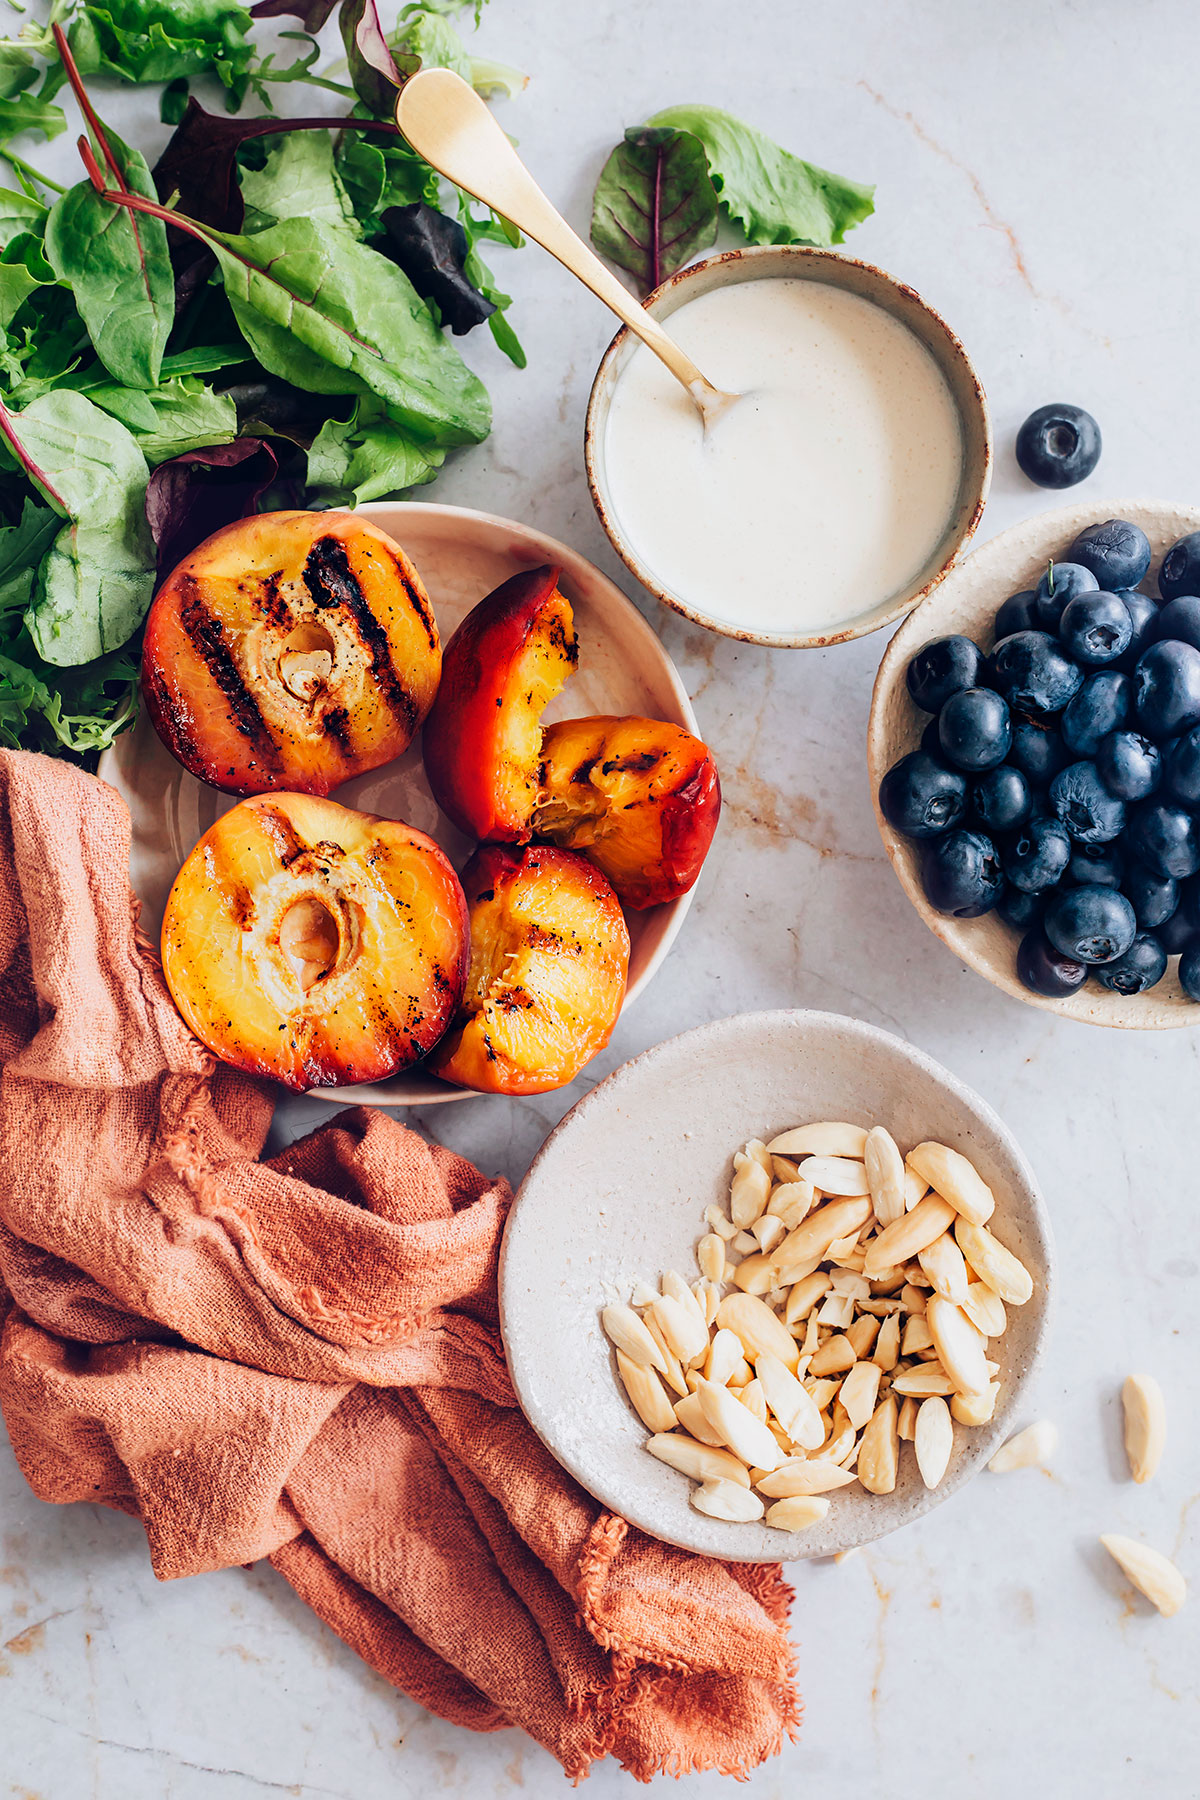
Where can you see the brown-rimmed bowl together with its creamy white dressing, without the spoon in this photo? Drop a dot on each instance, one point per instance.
(839, 490)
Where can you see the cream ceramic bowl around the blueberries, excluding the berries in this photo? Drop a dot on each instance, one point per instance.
(967, 602)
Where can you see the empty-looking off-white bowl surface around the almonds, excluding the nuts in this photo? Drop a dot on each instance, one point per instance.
(618, 1194)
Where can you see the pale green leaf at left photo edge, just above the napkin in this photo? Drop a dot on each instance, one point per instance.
(94, 586)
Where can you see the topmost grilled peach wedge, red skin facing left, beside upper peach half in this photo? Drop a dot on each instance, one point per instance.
(483, 739)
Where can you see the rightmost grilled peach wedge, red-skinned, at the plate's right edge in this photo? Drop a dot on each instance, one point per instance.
(636, 796)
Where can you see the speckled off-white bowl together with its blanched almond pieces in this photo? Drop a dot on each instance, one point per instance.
(776, 1288)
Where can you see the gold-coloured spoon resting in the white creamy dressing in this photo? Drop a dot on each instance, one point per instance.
(447, 123)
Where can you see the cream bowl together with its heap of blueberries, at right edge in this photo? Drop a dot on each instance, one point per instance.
(1035, 762)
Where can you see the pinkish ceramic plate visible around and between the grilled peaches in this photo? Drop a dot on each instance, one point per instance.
(461, 555)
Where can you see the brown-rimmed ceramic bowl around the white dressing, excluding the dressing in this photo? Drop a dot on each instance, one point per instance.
(801, 264)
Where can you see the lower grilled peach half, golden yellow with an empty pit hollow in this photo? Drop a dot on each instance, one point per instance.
(316, 944)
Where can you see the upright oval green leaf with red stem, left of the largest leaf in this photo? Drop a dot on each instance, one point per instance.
(120, 269)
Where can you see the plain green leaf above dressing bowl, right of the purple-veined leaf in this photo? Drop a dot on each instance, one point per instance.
(773, 195)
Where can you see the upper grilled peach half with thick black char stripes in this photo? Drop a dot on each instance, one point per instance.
(291, 652)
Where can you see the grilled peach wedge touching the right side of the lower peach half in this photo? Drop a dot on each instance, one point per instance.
(550, 960)
